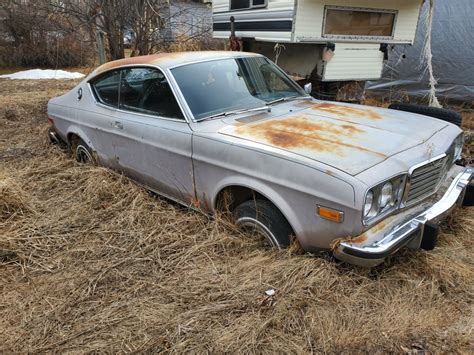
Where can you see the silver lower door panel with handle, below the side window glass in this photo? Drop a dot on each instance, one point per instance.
(156, 152)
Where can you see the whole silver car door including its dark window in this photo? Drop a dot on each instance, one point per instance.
(153, 139)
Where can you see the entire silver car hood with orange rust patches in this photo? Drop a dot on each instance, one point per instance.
(351, 138)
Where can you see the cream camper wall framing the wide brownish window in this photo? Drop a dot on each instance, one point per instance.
(310, 18)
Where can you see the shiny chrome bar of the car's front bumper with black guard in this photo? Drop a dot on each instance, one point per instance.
(402, 234)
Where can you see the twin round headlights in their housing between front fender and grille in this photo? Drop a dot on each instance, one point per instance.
(383, 199)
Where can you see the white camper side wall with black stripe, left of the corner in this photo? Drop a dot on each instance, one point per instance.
(272, 23)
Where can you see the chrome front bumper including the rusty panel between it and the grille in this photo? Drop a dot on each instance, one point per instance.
(405, 229)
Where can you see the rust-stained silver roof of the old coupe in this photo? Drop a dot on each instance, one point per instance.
(167, 60)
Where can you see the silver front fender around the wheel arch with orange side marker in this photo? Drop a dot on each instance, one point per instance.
(295, 189)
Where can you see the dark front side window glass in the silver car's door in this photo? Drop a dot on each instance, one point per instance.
(146, 90)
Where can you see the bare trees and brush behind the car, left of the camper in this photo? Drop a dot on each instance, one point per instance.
(156, 25)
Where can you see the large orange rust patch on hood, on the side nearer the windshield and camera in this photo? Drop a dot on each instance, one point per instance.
(302, 132)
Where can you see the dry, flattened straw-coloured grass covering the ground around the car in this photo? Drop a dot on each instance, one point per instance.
(90, 262)
